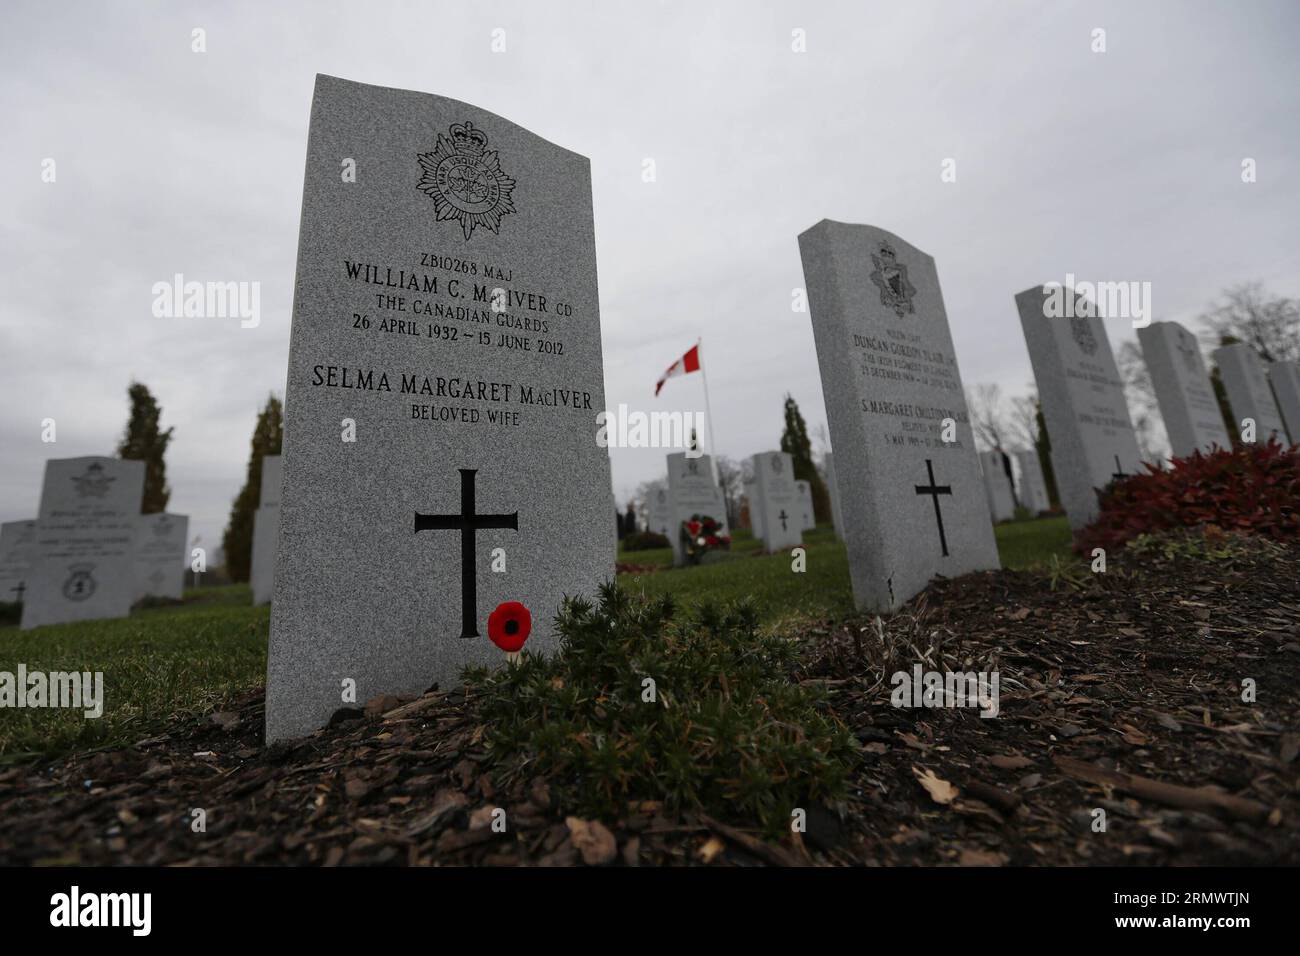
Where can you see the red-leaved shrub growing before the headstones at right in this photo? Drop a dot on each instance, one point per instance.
(1254, 488)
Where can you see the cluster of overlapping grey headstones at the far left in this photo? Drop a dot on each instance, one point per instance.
(90, 553)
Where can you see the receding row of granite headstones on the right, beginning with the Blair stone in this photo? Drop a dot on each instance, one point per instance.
(918, 505)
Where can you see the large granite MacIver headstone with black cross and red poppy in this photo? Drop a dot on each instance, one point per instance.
(447, 304)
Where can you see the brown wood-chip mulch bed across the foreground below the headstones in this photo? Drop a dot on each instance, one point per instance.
(1123, 695)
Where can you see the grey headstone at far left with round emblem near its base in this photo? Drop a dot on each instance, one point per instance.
(83, 568)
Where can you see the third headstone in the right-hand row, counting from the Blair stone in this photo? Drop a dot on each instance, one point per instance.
(1184, 391)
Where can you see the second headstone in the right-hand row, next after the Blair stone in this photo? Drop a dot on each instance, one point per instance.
(1082, 397)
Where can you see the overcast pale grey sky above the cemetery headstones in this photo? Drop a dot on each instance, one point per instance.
(1117, 166)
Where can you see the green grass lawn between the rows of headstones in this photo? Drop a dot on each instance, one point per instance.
(170, 661)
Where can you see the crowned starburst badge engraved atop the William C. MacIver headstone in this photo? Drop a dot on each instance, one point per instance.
(465, 180)
